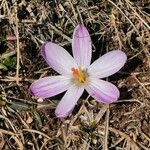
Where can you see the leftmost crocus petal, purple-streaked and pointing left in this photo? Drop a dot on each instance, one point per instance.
(50, 86)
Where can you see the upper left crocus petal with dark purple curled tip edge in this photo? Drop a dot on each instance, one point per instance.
(58, 58)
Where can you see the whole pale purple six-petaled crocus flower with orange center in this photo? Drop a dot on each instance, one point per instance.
(77, 74)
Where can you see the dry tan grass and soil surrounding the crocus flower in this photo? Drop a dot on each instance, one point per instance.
(27, 123)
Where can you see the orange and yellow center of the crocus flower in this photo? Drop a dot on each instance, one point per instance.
(79, 75)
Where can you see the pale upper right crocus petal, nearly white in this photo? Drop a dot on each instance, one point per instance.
(107, 64)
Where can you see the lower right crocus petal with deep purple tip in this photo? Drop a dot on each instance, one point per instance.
(102, 91)
